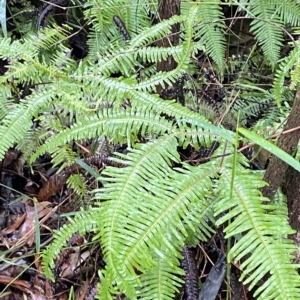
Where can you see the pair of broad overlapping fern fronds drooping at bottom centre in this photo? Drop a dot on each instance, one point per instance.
(143, 186)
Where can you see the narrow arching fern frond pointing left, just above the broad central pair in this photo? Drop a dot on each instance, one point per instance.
(124, 126)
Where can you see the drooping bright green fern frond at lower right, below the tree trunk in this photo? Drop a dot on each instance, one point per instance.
(263, 236)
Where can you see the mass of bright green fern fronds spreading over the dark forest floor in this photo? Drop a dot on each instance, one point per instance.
(147, 212)
